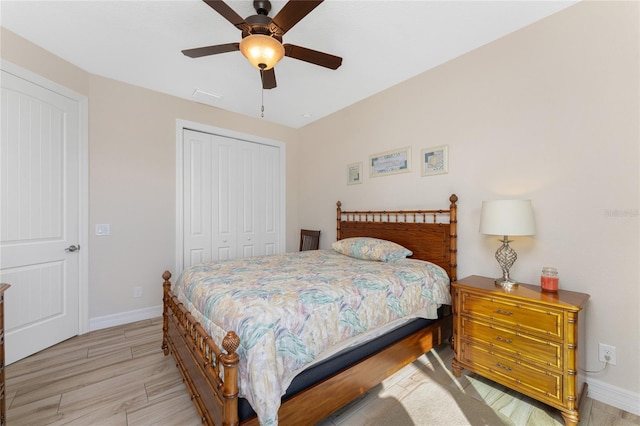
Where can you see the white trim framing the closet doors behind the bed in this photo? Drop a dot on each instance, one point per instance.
(181, 125)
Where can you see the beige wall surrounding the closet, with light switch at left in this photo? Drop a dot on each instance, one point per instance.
(132, 186)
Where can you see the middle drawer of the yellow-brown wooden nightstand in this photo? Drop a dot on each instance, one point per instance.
(526, 347)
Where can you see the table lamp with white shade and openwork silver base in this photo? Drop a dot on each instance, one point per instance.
(507, 218)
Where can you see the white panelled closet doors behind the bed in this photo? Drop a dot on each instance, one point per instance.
(231, 192)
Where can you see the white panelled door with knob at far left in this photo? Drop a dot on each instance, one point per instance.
(39, 216)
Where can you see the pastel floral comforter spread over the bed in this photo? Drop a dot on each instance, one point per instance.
(288, 309)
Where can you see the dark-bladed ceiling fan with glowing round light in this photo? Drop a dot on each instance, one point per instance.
(261, 40)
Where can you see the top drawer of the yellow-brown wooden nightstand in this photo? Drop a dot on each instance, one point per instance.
(530, 317)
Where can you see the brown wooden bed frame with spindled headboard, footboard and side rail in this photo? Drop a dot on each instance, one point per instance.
(209, 368)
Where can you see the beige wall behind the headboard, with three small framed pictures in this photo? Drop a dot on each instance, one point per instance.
(548, 113)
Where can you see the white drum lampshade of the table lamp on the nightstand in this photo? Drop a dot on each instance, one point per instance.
(507, 217)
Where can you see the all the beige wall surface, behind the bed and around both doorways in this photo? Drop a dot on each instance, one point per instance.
(548, 113)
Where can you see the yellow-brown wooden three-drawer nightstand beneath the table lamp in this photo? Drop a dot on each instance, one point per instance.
(525, 339)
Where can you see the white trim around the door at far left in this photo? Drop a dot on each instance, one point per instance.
(83, 177)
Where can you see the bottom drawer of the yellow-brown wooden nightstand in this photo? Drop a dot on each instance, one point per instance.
(539, 383)
